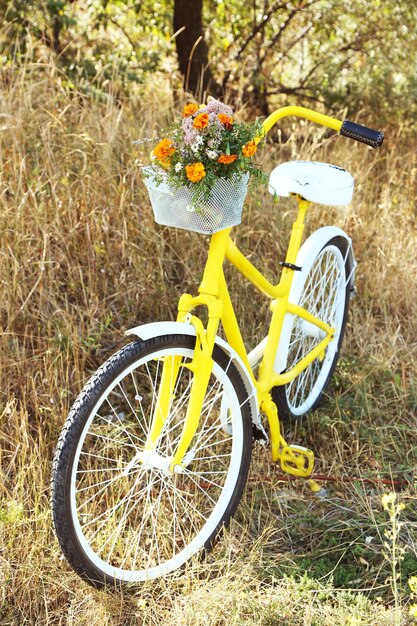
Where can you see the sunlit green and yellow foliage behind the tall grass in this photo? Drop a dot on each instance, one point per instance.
(357, 55)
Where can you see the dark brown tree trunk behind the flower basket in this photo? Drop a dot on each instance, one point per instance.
(192, 50)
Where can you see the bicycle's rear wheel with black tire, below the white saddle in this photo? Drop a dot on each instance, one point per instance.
(323, 289)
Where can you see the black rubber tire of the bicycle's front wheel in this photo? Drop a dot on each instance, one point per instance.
(73, 427)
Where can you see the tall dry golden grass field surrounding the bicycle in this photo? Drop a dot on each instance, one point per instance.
(81, 260)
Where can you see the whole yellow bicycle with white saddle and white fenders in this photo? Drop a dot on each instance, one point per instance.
(154, 455)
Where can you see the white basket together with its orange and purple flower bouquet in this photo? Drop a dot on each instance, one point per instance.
(199, 177)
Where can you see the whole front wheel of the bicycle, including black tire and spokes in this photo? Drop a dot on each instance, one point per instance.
(119, 513)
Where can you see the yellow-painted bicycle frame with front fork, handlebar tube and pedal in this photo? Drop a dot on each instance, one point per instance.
(214, 294)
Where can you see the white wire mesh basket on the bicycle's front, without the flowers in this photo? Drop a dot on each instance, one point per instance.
(183, 209)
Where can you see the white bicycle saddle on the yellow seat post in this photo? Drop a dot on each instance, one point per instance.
(317, 182)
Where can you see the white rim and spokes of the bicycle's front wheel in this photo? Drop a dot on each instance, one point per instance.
(133, 520)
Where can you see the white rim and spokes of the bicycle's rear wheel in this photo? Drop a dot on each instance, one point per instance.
(323, 295)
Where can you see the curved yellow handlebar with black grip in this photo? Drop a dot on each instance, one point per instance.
(346, 128)
